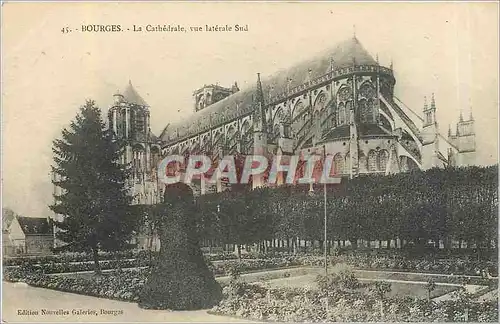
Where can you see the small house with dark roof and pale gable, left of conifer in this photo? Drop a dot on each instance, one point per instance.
(30, 235)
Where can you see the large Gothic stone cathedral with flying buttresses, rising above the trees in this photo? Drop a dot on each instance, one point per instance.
(341, 103)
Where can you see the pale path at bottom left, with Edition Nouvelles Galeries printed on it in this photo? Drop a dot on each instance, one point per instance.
(18, 297)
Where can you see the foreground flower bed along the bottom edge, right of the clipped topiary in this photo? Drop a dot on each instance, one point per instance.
(302, 305)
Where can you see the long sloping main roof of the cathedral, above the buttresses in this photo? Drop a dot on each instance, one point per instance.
(344, 54)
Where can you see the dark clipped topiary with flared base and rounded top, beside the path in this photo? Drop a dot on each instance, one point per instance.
(180, 279)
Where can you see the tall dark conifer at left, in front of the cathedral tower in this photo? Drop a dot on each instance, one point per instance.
(94, 202)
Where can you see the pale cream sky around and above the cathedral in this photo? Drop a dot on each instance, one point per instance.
(450, 49)
